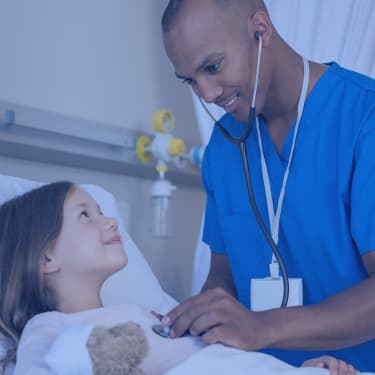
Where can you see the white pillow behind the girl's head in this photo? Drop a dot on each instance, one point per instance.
(134, 284)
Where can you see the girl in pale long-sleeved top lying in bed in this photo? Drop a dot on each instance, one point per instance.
(56, 251)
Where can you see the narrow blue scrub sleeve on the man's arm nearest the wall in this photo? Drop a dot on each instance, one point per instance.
(211, 229)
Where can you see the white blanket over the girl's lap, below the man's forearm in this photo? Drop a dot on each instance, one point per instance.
(222, 360)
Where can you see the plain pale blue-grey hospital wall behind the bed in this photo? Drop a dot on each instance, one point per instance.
(103, 61)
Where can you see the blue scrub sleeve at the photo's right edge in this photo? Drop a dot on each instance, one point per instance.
(363, 187)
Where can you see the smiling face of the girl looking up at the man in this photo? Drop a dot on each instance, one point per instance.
(89, 245)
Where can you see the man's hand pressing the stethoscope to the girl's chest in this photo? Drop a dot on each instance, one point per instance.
(219, 318)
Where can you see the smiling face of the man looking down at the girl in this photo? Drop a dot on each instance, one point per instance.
(214, 50)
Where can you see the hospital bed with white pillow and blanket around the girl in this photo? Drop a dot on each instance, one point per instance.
(137, 284)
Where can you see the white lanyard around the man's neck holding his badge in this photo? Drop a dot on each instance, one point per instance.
(275, 218)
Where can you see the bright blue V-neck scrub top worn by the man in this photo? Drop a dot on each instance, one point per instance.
(328, 217)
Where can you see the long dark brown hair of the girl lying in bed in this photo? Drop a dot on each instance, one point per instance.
(29, 226)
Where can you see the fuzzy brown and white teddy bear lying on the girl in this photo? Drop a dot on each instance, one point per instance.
(98, 350)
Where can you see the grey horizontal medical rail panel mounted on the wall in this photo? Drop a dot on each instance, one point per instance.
(39, 135)
